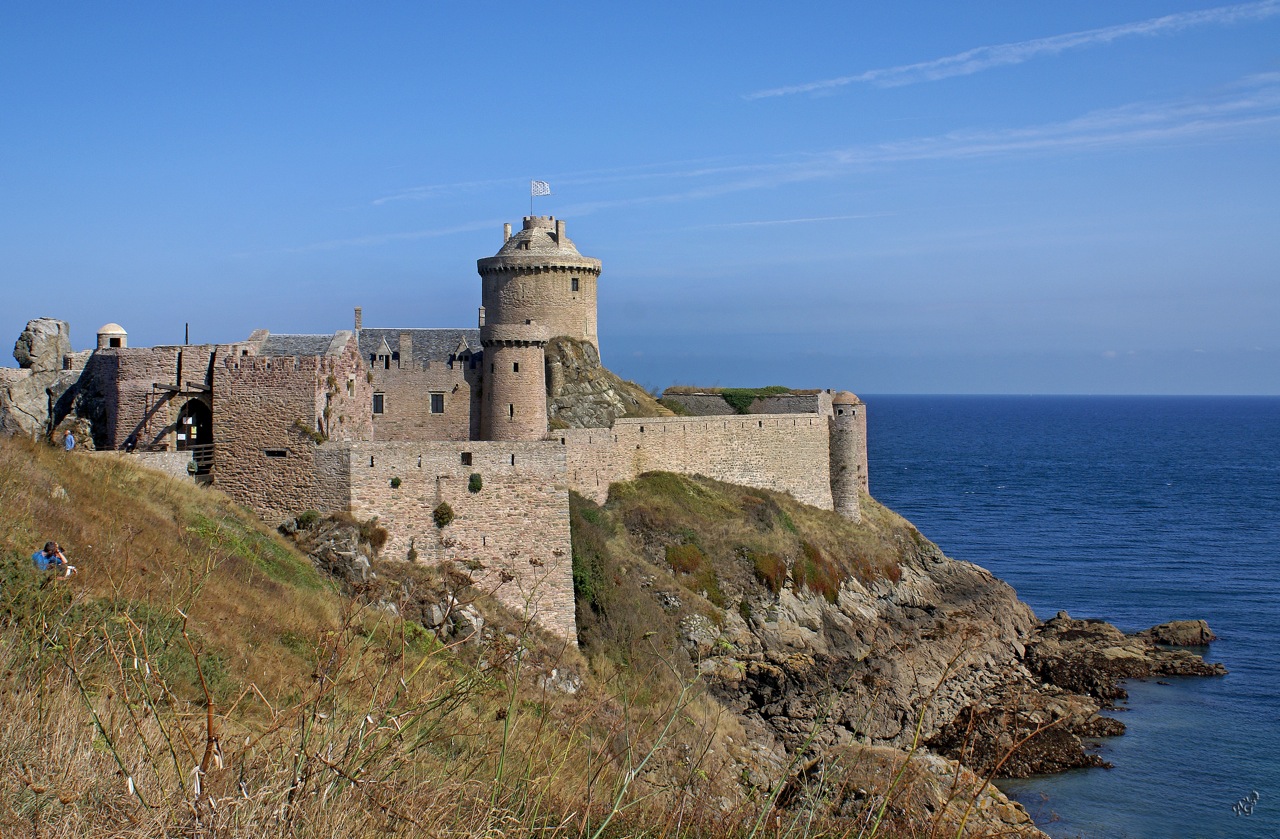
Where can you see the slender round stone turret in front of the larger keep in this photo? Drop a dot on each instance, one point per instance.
(515, 382)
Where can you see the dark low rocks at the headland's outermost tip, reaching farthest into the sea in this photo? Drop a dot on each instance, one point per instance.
(1094, 658)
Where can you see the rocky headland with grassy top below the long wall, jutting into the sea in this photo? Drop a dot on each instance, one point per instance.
(843, 644)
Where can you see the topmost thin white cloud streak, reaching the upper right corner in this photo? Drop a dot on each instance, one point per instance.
(1004, 54)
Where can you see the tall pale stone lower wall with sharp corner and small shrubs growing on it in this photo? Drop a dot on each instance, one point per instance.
(513, 535)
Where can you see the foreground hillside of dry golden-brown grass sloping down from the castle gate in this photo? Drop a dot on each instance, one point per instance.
(200, 678)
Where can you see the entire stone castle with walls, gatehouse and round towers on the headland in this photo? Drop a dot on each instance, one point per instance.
(404, 423)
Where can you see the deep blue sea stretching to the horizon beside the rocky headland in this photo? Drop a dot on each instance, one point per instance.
(1137, 510)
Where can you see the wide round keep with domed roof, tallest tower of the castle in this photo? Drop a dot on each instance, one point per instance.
(540, 276)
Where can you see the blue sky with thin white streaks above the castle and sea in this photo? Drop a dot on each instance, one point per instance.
(990, 198)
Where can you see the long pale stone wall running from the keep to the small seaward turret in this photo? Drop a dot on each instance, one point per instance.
(776, 452)
